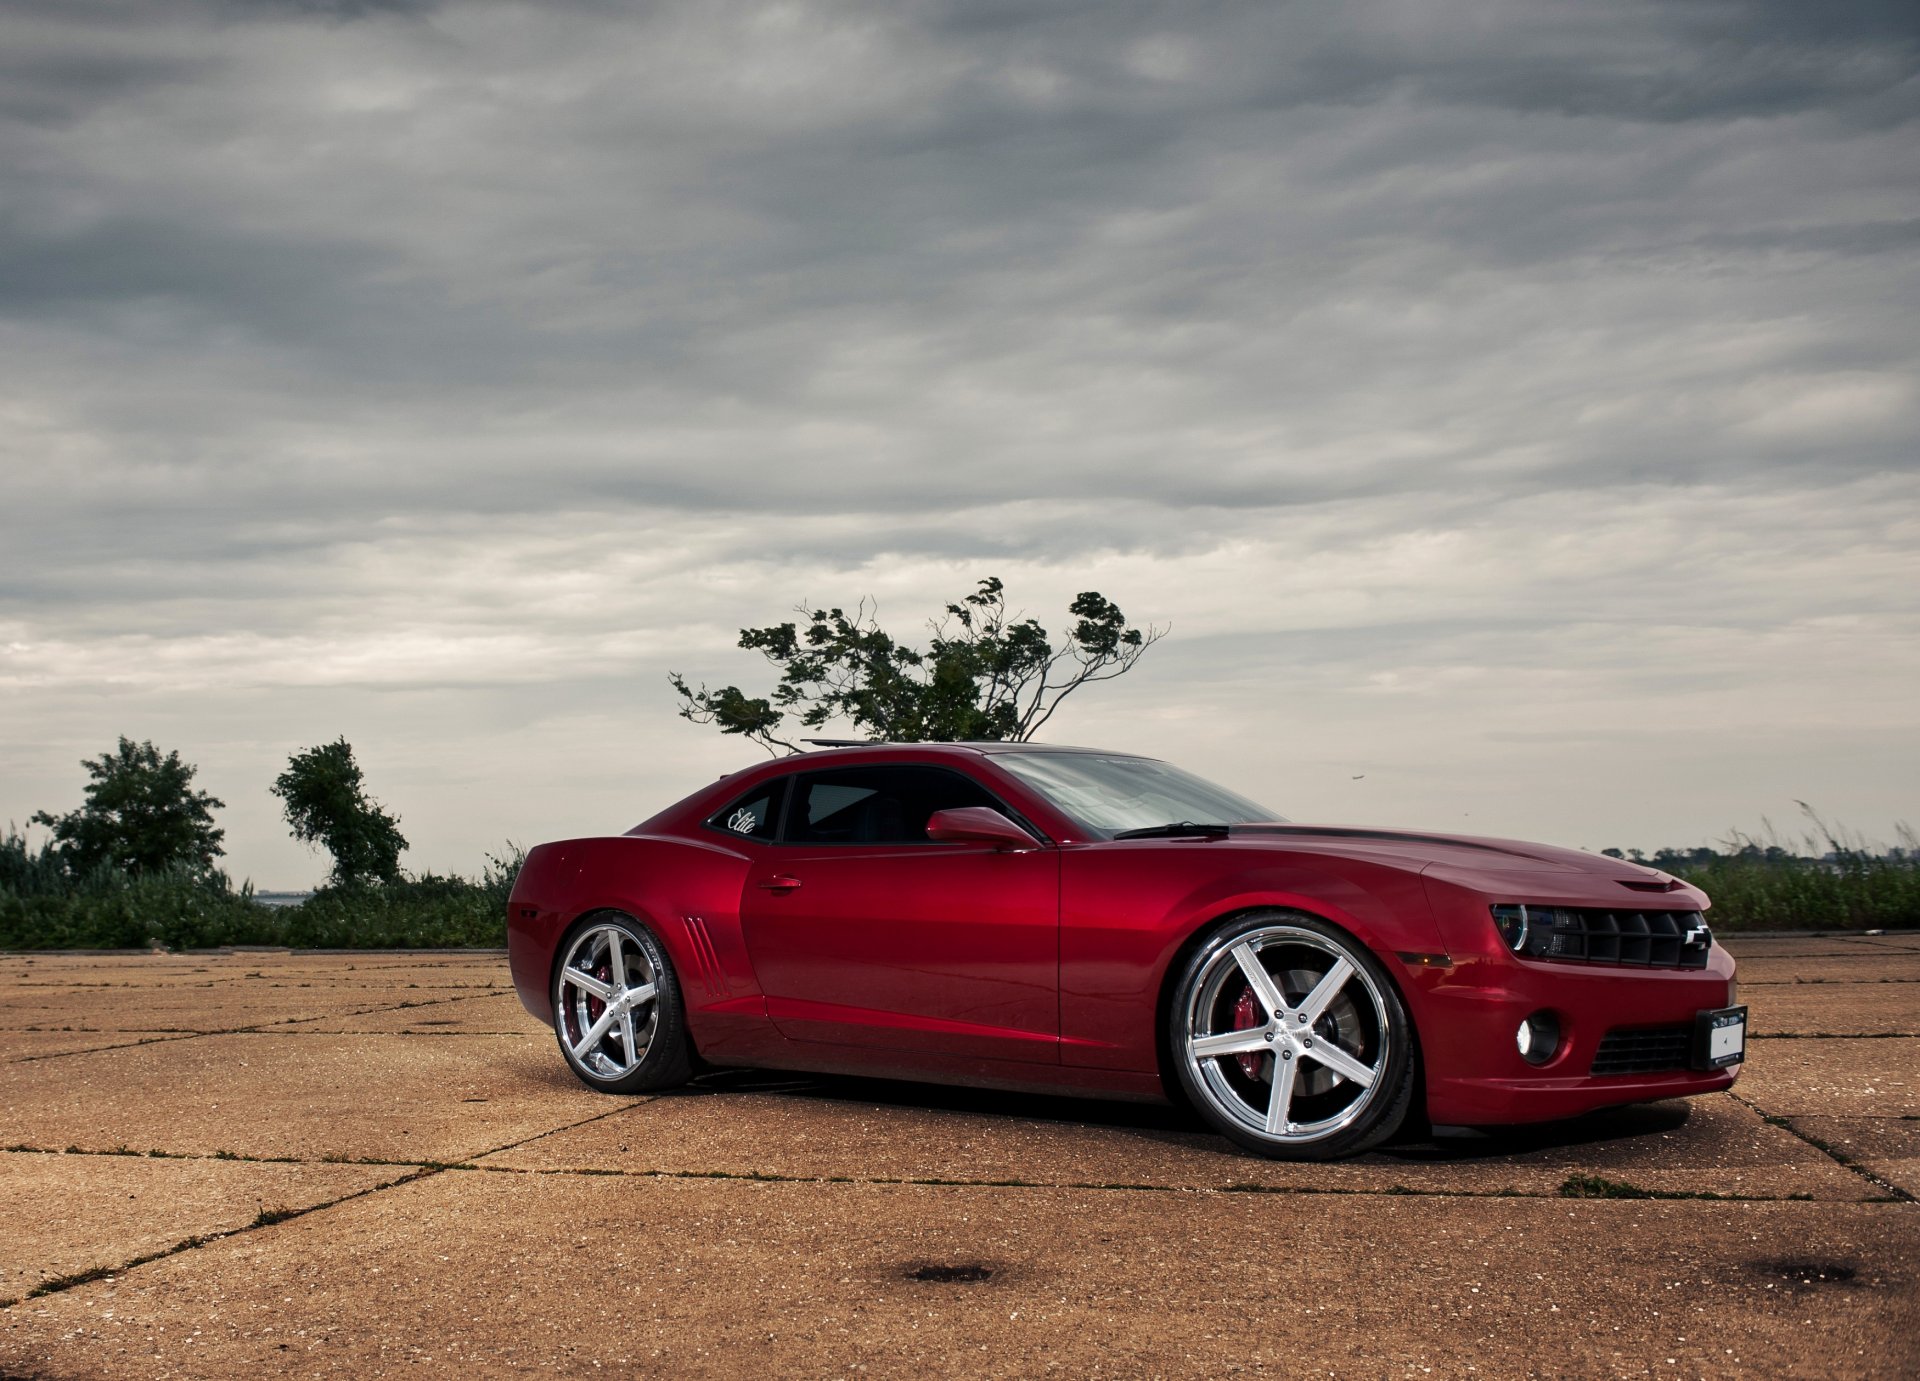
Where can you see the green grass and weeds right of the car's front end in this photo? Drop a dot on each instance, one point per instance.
(1827, 881)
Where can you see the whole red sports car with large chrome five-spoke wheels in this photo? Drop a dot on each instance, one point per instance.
(1051, 919)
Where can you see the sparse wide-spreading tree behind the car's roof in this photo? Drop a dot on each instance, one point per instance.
(984, 675)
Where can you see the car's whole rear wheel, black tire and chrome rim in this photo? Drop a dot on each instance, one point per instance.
(617, 1009)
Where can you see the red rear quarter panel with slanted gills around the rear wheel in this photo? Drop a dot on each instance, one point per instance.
(684, 890)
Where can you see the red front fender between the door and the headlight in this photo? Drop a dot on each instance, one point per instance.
(1126, 911)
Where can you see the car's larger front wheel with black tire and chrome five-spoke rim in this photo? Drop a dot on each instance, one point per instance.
(1289, 1038)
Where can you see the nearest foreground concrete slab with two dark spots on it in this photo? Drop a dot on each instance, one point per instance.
(821, 1280)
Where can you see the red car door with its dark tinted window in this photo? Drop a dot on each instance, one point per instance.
(865, 933)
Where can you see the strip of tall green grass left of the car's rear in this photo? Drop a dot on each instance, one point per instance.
(43, 908)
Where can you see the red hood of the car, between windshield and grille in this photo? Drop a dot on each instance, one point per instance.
(1462, 854)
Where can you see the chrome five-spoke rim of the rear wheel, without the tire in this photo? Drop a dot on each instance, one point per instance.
(608, 1005)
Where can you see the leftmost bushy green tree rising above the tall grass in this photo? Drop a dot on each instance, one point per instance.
(141, 817)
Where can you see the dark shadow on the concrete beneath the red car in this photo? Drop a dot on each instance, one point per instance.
(1182, 1127)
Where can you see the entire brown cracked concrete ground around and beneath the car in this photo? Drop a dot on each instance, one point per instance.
(364, 1165)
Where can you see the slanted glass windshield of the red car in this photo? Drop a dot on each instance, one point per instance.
(1113, 794)
